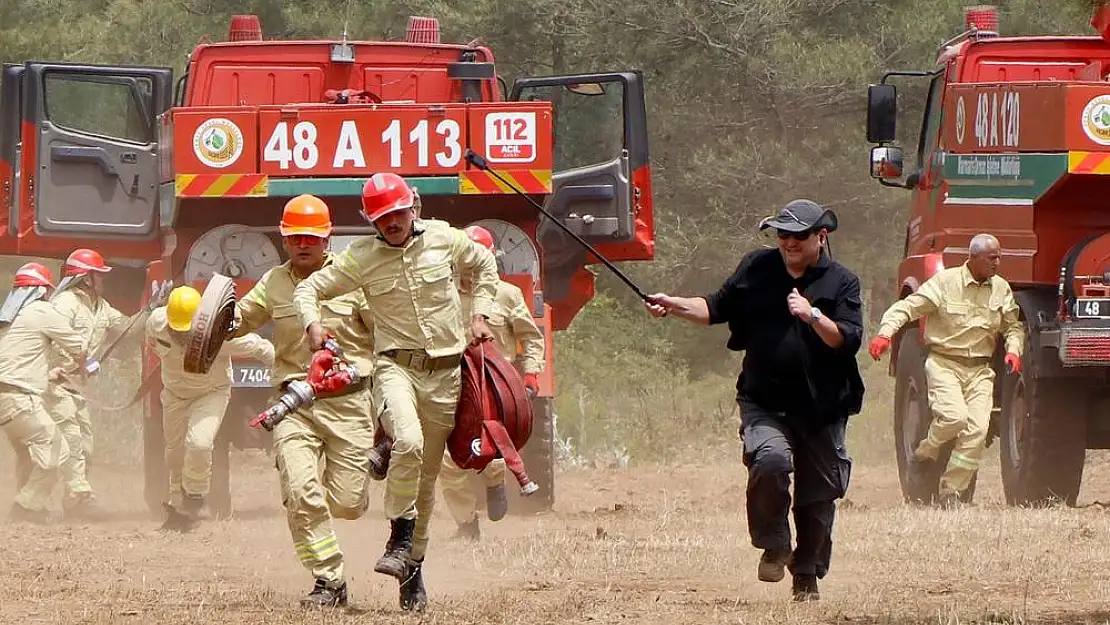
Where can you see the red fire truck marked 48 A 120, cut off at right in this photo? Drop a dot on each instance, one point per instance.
(1015, 142)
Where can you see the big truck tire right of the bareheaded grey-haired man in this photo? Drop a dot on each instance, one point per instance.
(1044, 439)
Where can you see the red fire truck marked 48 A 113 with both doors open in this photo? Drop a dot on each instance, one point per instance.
(183, 178)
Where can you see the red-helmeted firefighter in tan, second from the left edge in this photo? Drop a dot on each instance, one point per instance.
(79, 298)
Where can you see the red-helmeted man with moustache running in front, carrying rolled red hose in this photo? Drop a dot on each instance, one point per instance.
(406, 273)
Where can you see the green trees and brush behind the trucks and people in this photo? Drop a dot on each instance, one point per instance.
(751, 104)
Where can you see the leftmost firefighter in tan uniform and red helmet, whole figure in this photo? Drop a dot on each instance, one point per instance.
(33, 328)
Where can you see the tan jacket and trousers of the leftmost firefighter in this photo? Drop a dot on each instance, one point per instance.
(24, 370)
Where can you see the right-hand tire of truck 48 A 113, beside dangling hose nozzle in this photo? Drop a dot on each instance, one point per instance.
(539, 457)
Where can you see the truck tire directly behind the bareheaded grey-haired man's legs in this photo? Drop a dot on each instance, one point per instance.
(912, 419)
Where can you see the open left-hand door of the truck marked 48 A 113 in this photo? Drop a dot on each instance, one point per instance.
(90, 158)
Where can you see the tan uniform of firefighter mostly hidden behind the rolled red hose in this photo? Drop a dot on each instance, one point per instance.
(512, 327)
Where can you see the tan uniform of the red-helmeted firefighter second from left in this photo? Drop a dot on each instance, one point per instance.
(66, 406)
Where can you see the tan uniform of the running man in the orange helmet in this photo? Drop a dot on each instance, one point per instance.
(335, 432)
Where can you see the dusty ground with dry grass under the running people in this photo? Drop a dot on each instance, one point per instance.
(639, 546)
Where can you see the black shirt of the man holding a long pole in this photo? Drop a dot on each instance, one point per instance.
(788, 367)
